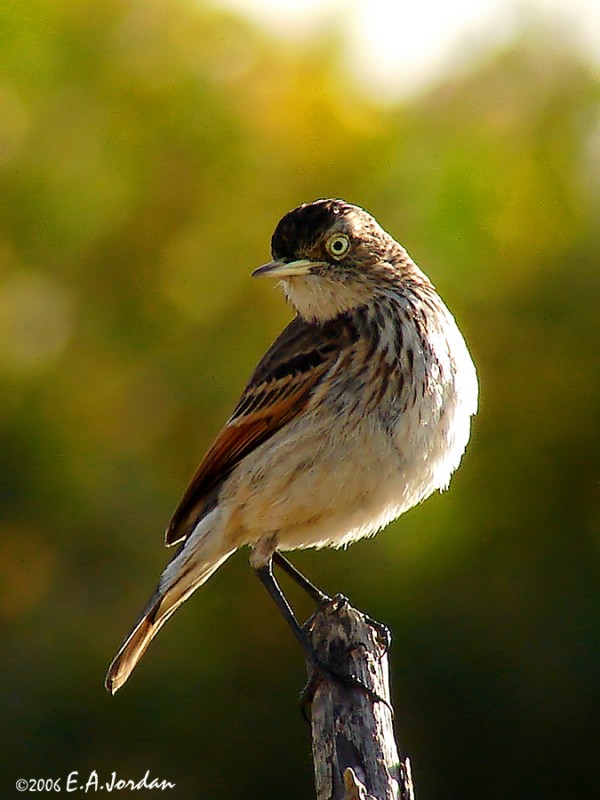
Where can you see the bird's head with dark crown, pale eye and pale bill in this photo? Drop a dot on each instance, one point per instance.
(332, 256)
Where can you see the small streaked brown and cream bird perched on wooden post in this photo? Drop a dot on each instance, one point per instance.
(359, 410)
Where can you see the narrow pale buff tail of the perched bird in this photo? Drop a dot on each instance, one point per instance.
(201, 555)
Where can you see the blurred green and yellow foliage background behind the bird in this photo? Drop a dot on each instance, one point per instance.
(147, 150)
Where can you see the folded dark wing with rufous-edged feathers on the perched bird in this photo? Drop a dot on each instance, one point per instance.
(278, 390)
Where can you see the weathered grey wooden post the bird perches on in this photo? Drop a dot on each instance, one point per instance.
(354, 750)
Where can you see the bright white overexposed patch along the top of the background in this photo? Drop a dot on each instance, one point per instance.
(395, 47)
